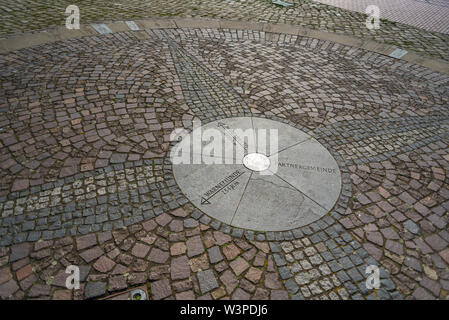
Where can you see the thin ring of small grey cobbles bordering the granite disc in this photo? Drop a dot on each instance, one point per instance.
(328, 220)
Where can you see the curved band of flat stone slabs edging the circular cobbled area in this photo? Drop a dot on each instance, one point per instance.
(61, 33)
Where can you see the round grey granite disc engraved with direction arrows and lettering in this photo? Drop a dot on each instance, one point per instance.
(256, 174)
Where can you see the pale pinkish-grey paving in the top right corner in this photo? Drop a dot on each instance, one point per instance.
(432, 15)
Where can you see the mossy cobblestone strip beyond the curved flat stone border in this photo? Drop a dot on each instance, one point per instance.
(19, 16)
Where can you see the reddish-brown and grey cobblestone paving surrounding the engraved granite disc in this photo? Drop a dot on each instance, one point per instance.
(86, 179)
